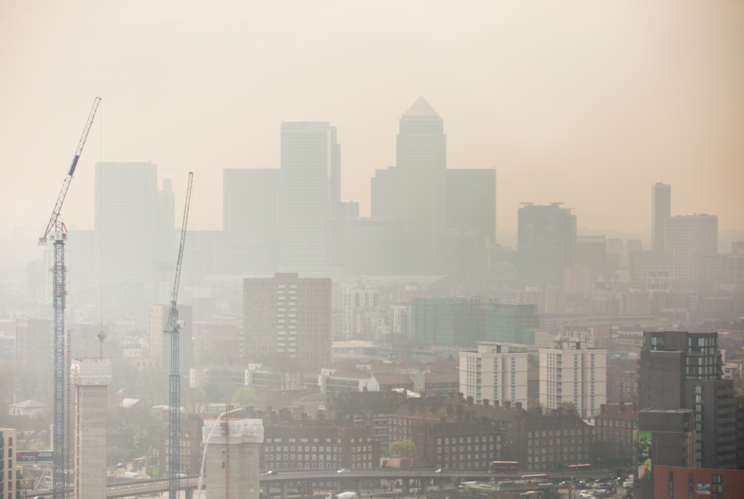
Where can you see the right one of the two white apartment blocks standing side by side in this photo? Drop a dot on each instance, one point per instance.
(573, 372)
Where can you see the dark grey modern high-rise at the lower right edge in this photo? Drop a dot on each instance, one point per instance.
(682, 370)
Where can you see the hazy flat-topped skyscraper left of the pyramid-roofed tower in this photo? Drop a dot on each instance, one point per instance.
(307, 157)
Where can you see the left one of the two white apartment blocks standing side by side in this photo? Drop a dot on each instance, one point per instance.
(495, 372)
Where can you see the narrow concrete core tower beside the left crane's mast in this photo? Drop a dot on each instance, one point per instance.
(90, 380)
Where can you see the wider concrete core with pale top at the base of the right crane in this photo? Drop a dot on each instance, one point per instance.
(232, 458)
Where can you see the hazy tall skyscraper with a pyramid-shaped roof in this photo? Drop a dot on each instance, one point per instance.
(421, 162)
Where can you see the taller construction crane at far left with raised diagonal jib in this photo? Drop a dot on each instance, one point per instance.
(57, 232)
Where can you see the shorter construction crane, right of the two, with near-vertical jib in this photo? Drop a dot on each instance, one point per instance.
(174, 401)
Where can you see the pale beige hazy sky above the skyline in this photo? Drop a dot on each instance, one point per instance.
(588, 103)
